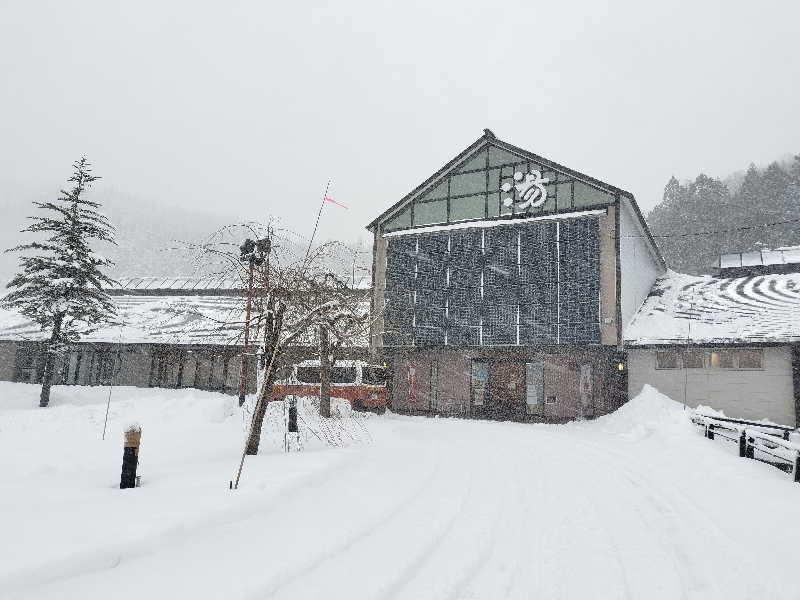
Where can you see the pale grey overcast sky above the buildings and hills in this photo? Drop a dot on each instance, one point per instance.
(246, 109)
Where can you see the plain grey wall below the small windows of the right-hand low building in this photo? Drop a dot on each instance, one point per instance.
(745, 394)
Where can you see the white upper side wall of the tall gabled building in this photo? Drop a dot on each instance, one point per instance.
(639, 265)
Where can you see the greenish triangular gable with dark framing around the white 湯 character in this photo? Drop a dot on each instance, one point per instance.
(462, 181)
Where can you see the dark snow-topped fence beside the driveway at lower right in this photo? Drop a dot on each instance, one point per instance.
(756, 440)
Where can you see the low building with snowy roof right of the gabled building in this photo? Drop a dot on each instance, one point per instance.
(731, 343)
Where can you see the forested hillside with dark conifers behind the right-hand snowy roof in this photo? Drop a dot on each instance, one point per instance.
(698, 220)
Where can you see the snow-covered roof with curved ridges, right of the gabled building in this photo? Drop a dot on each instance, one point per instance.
(705, 309)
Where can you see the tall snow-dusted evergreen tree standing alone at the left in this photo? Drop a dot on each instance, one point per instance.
(60, 284)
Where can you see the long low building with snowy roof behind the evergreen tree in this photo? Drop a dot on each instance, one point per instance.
(168, 332)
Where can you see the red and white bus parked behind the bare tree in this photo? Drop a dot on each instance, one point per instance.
(361, 384)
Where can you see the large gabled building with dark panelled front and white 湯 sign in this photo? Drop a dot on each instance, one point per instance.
(501, 285)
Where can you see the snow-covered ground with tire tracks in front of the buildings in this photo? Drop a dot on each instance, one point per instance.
(633, 505)
